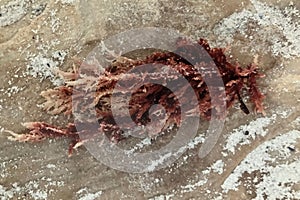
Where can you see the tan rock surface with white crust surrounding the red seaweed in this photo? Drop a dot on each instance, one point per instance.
(36, 36)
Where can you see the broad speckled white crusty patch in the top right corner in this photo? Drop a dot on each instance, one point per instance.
(277, 27)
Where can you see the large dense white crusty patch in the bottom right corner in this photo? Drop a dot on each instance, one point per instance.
(269, 159)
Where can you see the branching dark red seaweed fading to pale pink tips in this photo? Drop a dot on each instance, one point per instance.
(100, 88)
